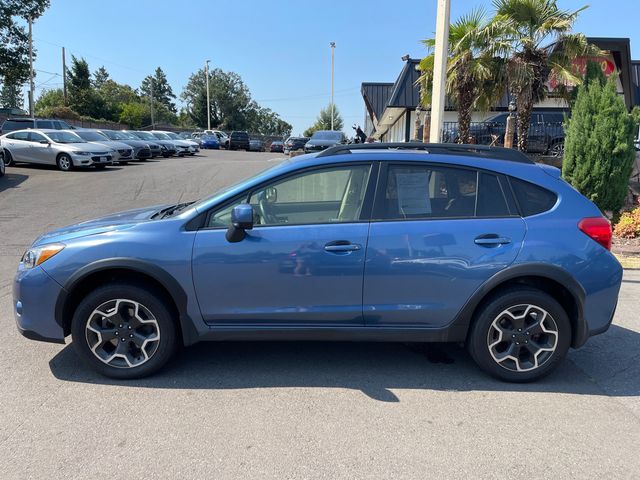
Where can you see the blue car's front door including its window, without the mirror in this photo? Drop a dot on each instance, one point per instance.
(301, 264)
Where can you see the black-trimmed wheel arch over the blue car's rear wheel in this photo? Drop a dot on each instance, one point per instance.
(550, 279)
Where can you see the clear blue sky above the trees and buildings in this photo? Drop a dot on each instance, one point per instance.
(280, 48)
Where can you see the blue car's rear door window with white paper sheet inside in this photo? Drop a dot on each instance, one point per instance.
(428, 192)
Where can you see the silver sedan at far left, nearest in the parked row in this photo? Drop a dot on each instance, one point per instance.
(54, 147)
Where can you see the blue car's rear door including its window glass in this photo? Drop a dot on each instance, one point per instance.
(437, 234)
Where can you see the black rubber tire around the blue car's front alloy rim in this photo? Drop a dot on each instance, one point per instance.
(152, 302)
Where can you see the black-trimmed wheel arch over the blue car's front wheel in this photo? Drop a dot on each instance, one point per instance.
(130, 270)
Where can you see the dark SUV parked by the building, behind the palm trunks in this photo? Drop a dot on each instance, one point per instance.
(546, 132)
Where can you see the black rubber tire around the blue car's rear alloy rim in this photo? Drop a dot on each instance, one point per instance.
(483, 334)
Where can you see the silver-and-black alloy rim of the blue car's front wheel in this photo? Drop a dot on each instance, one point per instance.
(122, 333)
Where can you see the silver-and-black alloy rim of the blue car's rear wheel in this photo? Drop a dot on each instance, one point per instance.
(522, 338)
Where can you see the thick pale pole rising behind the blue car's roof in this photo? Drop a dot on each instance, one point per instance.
(439, 70)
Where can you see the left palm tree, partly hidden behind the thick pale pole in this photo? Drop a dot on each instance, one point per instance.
(472, 71)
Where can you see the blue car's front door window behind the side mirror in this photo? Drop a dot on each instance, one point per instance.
(331, 195)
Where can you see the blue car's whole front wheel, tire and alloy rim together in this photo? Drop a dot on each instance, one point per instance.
(124, 331)
